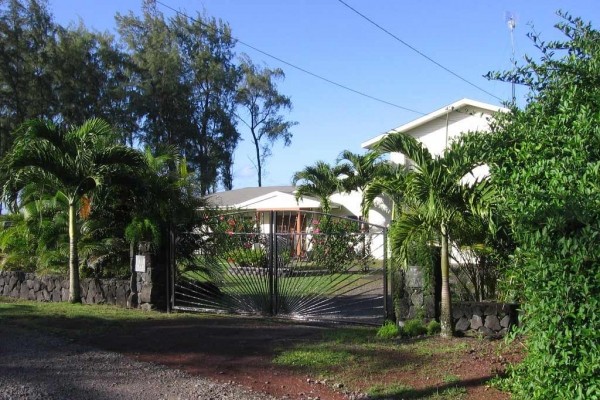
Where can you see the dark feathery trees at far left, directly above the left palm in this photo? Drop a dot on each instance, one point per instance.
(59, 73)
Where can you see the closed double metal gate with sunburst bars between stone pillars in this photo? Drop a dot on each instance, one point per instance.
(292, 264)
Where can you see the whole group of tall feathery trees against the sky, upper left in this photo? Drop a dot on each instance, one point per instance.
(159, 81)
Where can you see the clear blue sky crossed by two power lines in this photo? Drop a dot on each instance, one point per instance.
(325, 37)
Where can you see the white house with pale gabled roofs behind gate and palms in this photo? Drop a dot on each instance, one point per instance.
(435, 130)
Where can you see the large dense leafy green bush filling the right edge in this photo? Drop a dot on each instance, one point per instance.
(545, 162)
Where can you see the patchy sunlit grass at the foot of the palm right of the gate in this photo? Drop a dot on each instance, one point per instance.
(360, 359)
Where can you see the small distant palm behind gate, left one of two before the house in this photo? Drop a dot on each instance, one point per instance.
(320, 180)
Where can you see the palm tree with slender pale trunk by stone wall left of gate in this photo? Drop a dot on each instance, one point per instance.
(72, 163)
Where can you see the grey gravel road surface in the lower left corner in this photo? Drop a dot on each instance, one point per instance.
(36, 366)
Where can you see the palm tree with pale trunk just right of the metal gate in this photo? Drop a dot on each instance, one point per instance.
(435, 200)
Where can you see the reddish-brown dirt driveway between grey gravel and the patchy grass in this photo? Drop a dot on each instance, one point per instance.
(228, 349)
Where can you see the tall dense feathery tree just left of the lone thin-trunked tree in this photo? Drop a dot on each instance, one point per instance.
(185, 82)
